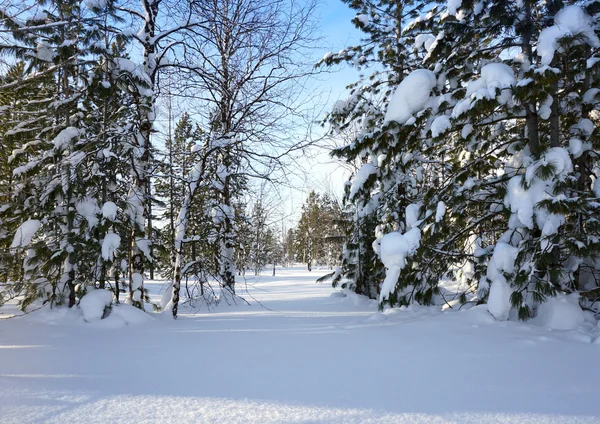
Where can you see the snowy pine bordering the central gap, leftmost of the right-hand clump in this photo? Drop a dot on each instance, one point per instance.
(382, 186)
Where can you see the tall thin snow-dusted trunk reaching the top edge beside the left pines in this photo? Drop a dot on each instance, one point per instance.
(165, 25)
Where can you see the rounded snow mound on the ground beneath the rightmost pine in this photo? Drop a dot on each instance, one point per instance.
(561, 312)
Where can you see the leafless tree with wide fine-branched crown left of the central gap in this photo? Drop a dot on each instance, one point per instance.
(244, 72)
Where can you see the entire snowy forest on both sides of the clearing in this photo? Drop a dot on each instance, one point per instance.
(470, 134)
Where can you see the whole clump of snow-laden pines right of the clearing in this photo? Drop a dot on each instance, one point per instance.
(473, 133)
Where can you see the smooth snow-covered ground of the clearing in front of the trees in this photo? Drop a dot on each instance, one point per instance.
(312, 357)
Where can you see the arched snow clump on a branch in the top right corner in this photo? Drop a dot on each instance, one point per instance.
(569, 21)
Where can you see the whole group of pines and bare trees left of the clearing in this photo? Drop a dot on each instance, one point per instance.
(90, 170)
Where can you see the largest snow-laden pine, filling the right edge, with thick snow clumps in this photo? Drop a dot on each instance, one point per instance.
(514, 136)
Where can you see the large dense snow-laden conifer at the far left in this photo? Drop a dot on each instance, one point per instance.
(66, 148)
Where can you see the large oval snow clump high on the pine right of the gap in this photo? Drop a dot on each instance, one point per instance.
(410, 96)
